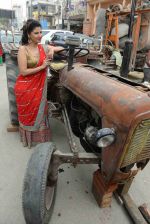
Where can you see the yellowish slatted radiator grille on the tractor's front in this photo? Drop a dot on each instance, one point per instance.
(139, 147)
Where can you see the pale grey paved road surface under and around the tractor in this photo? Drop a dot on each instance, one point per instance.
(75, 203)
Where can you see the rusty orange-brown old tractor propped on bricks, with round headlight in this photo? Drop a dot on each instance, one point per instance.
(111, 117)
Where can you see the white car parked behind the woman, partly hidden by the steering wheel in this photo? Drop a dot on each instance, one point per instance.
(51, 33)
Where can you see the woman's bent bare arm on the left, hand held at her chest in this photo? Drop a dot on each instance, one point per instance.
(22, 63)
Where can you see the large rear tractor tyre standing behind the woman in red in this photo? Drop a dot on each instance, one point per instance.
(12, 73)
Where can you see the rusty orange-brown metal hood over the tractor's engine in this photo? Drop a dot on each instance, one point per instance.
(111, 98)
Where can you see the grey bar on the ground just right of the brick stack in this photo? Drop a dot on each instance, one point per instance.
(132, 209)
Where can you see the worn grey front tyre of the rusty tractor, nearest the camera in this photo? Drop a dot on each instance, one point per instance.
(37, 206)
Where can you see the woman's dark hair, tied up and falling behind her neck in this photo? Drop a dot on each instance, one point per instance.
(30, 25)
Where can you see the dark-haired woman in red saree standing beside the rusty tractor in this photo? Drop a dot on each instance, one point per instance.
(31, 86)
